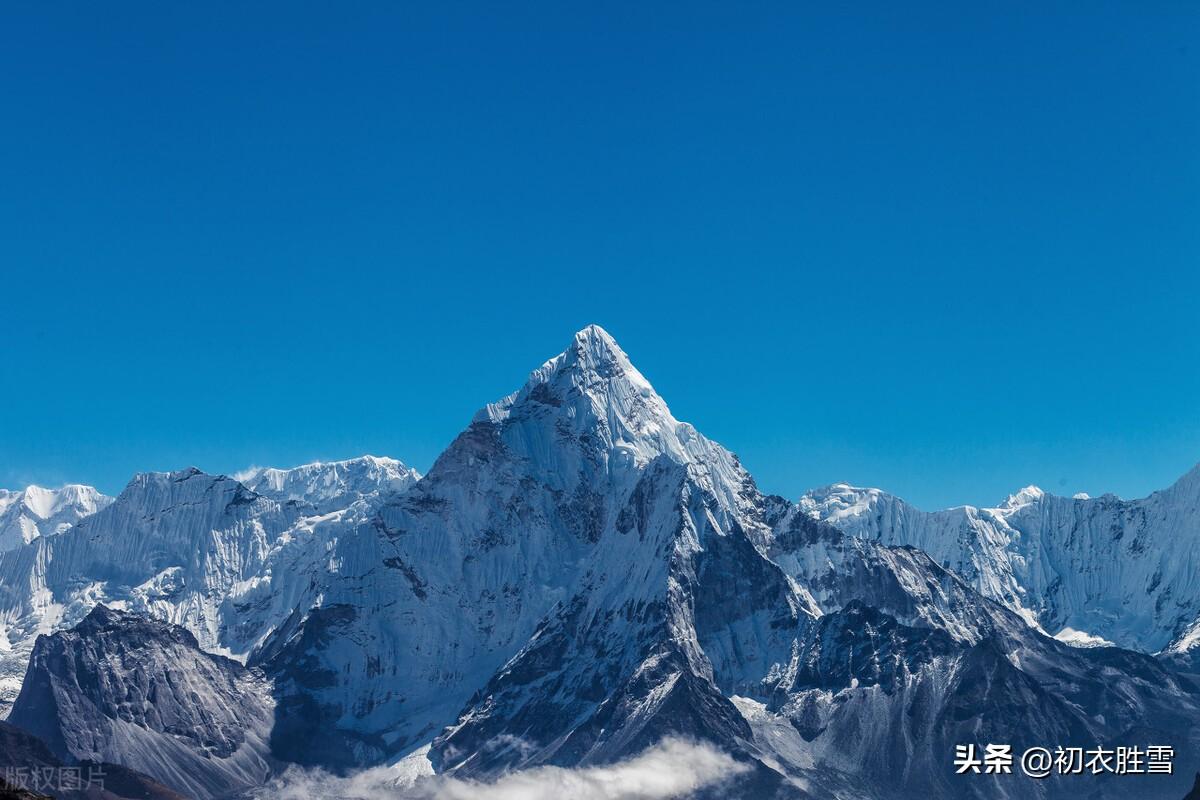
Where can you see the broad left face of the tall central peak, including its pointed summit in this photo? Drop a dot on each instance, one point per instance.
(459, 572)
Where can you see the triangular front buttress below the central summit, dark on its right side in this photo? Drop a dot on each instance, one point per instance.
(676, 604)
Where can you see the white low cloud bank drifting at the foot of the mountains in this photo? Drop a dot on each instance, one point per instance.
(673, 769)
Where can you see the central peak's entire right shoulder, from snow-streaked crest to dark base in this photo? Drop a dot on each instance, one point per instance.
(908, 661)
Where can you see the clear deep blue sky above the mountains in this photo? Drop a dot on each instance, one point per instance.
(947, 250)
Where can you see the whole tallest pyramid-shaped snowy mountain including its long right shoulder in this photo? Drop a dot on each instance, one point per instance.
(587, 575)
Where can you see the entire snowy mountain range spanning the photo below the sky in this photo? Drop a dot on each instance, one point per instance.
(579, 579)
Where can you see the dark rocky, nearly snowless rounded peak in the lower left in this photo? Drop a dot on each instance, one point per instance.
(119, 688)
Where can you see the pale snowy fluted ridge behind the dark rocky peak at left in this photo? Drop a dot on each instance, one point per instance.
(175, 546)
